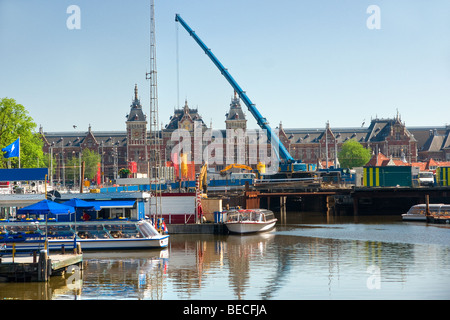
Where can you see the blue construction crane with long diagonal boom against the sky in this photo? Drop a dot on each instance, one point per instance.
(287, 162)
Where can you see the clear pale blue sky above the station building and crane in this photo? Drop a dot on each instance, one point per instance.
(301, 62)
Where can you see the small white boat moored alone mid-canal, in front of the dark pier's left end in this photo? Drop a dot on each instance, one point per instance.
(250, 220)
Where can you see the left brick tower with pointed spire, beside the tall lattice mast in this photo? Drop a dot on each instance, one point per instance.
(137, 145)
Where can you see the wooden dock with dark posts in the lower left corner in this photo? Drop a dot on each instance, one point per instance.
(37, 267)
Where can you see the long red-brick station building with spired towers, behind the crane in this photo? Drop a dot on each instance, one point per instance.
(118, 149)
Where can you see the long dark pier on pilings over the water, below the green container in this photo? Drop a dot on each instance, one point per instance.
(354, 200)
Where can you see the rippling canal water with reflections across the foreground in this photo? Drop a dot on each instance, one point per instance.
(307, 256)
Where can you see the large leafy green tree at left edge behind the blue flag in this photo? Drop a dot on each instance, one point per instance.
(15, 122)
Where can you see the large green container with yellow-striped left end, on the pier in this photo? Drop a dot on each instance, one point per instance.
(388, 176)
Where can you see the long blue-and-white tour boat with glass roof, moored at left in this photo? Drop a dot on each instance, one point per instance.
(90, 235)
